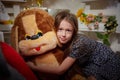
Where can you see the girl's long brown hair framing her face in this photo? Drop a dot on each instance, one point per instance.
(72, 19)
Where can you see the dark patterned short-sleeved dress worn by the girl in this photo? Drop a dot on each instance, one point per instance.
(95, 58)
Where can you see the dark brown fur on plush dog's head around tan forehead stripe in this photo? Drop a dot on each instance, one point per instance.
(44, 22)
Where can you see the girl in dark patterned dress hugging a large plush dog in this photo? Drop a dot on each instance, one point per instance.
(95, 59)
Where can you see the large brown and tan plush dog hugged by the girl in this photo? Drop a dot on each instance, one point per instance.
(33, 35)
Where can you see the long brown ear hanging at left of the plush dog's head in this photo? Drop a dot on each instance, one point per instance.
(14, 38)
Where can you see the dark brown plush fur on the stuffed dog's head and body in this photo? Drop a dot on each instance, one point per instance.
(45, 23)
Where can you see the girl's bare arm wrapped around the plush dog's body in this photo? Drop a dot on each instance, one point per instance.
(64, 66)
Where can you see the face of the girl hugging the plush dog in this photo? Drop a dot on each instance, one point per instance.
(64, 32)
